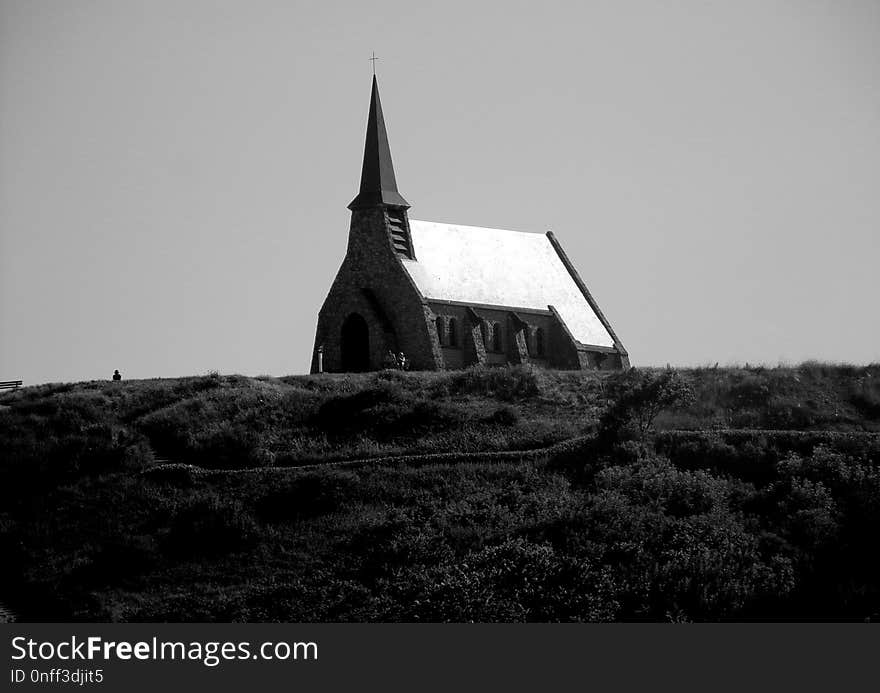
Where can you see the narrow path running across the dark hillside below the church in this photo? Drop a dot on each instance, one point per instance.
(568, 445)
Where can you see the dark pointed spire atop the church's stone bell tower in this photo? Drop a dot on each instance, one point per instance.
(378, 186)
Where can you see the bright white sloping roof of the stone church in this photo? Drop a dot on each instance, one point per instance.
(500, 268)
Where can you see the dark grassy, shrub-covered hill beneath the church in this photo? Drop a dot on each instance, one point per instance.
(486, 495)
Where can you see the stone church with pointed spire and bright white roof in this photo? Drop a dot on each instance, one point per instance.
(450, 296)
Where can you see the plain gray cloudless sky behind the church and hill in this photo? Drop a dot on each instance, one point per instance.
(174, 175)
